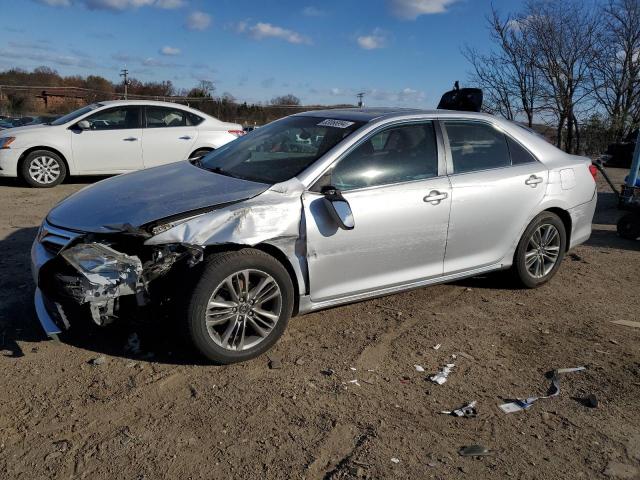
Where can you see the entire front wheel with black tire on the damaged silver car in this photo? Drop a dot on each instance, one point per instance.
(240, 306)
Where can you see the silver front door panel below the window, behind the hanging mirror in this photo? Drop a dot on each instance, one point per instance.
(399, 237)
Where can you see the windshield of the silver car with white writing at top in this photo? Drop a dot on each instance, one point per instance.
(279, 151)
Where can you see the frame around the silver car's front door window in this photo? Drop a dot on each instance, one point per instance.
(379, 127)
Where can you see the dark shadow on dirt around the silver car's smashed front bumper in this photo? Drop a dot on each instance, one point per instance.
(160, 340)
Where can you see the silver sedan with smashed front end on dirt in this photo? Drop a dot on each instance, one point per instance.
(314, 210)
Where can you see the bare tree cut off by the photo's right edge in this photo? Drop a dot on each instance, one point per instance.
(616, 70)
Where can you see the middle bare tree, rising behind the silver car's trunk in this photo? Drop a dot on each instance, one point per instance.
(564, 36)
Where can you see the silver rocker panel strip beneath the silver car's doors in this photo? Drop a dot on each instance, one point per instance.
(306, 305)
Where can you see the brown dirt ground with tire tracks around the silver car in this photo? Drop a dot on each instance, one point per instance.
(164, 414)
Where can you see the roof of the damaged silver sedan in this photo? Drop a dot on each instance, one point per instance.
(371, 114)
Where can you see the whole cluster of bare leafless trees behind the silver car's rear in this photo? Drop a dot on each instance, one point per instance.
(570, 64)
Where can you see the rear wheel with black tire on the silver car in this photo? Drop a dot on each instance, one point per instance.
(540, 250)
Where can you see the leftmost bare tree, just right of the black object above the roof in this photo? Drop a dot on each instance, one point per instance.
(508, 75)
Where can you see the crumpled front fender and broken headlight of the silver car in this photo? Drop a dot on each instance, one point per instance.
(107, 274)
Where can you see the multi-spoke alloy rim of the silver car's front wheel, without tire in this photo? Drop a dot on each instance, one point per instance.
(243, 309)
